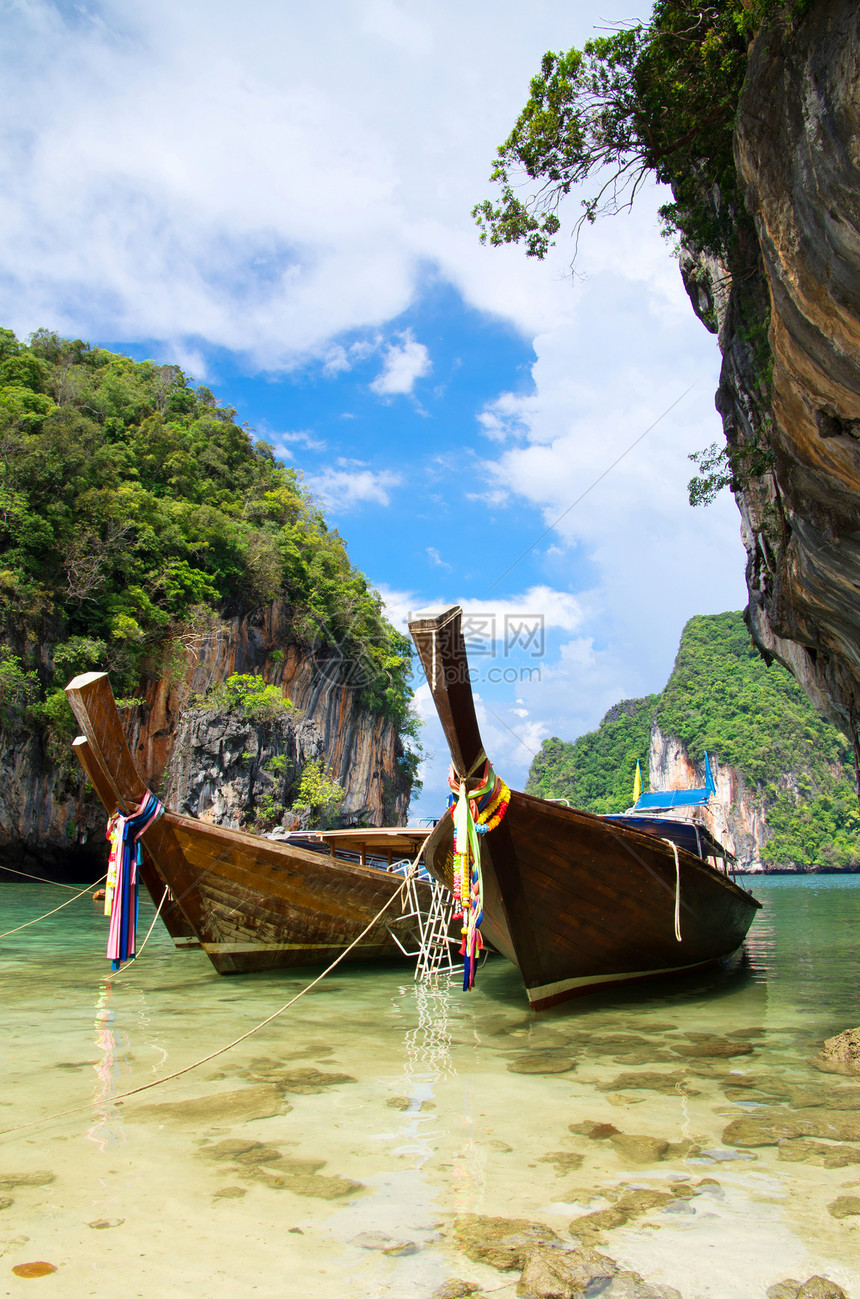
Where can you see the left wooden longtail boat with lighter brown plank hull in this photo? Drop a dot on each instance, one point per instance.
(253, 903)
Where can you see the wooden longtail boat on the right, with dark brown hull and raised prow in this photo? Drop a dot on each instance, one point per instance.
(577, 901)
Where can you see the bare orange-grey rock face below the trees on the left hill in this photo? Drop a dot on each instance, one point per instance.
(211, 764)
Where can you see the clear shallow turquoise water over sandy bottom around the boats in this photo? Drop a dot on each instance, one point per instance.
(380, 1111)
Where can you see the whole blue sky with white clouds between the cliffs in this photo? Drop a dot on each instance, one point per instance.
(279, 201)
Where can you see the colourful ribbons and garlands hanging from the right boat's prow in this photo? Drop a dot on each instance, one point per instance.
(475, 814)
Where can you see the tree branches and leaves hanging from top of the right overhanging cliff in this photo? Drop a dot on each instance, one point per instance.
(653, 99)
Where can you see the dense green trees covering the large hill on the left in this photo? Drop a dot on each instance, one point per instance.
(136, 511)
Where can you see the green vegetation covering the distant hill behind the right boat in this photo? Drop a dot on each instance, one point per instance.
(724, 700)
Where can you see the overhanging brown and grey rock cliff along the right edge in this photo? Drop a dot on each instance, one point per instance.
(798, 155)
